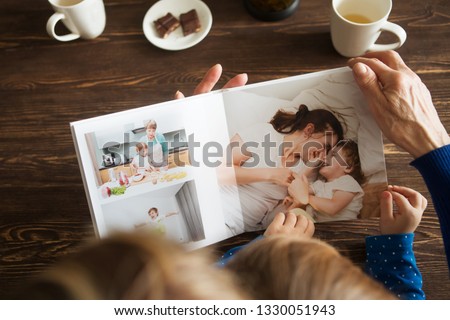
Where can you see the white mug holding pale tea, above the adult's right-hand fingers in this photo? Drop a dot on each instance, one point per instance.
(357, 24)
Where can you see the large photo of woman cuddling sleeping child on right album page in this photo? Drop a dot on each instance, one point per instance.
(304, 159)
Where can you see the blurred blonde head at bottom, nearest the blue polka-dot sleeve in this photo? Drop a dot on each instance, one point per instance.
(280, 267)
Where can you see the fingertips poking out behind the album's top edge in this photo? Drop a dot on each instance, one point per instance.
(210, 79)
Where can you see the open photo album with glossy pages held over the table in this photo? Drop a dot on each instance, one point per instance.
(208, 167)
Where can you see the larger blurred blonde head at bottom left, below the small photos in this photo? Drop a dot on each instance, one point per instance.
(135, 266)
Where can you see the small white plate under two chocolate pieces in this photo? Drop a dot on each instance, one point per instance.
(176, 40)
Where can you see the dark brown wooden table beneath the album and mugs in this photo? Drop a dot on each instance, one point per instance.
(45, 84)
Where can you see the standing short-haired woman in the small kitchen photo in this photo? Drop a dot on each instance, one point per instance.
(158, 150)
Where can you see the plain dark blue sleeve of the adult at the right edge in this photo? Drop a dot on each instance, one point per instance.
(435, 169)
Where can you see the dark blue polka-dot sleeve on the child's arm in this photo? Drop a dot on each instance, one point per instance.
(391, 261)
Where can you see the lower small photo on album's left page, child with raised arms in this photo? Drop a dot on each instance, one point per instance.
(172, 211)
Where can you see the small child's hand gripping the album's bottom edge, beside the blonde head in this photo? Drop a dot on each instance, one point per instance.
(291, 225)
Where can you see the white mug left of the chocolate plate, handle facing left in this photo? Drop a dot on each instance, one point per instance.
(84, 18)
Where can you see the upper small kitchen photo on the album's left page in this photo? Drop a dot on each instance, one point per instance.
(146, 152)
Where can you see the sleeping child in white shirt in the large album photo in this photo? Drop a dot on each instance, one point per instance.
(337, 194)
